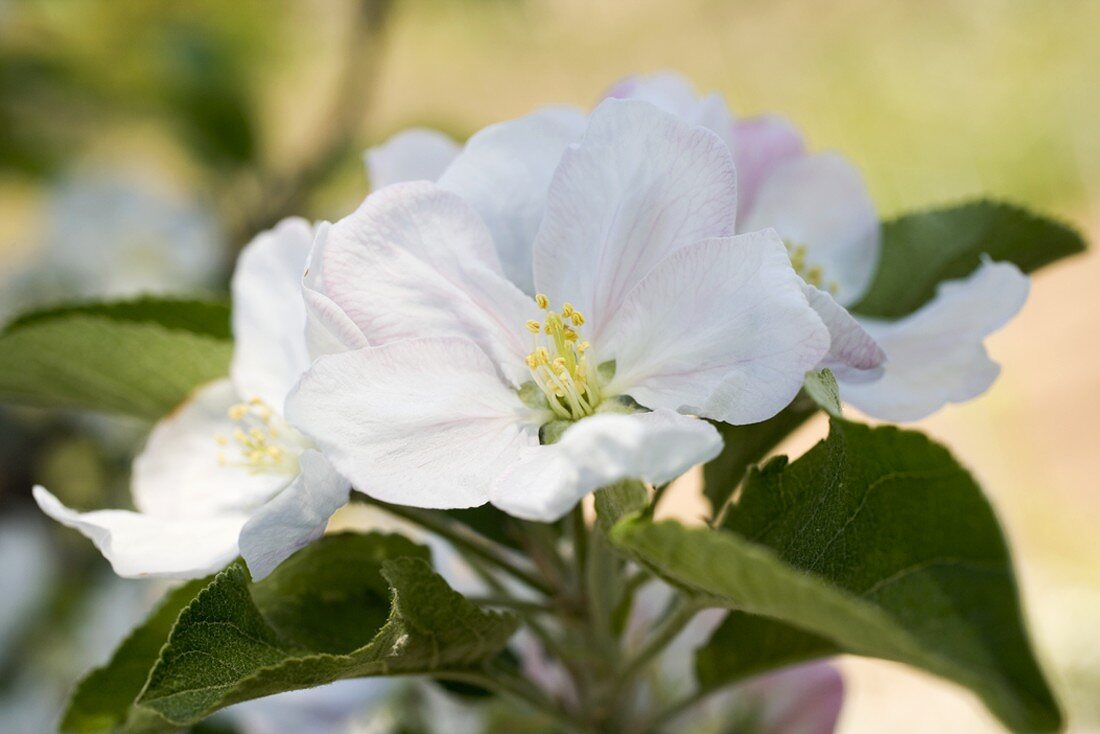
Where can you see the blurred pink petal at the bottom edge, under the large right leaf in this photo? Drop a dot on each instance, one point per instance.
(802, 700)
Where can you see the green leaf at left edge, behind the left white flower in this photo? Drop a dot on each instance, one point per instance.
(140, 358)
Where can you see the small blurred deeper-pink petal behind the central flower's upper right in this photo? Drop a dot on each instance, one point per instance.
(761, 145)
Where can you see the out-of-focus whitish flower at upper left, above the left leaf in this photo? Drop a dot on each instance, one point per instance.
(114, 235)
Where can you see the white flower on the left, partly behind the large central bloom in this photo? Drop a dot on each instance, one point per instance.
(226, 474)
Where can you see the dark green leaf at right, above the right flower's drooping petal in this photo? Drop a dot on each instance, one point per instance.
(922, 250)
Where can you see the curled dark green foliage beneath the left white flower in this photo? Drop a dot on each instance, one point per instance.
(348, 606)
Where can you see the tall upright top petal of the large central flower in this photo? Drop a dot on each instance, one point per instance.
(641, 187)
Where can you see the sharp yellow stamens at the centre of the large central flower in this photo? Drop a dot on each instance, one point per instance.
(559, 361)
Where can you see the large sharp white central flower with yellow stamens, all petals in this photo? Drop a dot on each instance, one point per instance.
(644, 295)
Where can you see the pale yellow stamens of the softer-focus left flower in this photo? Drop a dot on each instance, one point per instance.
(263, 440)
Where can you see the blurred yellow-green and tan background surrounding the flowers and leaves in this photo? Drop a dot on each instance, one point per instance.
(142, 144)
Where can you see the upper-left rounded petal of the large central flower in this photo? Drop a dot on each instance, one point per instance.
(415, 261)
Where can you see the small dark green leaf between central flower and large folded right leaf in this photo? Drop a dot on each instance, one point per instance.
(744, 446)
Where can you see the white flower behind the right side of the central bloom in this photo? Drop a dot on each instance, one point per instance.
(820, 206)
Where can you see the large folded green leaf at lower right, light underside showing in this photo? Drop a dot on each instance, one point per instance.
(878, 541)
